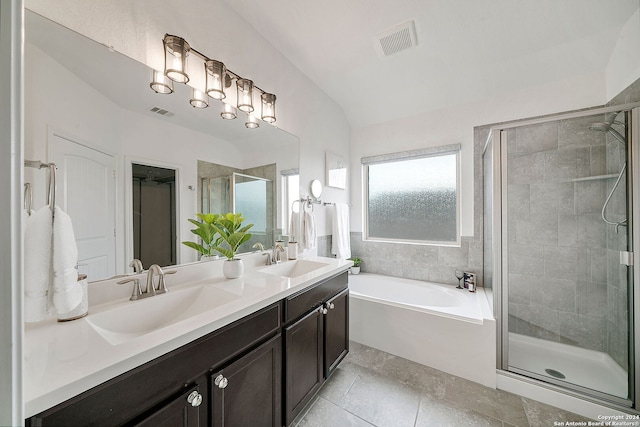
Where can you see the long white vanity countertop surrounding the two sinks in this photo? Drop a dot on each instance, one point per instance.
(64, 359)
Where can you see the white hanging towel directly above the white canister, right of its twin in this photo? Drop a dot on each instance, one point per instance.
(67, 291)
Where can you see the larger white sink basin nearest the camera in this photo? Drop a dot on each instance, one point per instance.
(135, 318)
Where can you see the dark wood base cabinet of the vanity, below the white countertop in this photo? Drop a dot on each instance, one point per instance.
(253, 372)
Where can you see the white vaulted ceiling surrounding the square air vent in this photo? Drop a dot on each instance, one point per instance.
(466, 49)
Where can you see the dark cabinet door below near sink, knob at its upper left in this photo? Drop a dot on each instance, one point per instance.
(249, 391)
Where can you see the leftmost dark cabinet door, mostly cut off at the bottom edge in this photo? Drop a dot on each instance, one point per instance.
(183, 411)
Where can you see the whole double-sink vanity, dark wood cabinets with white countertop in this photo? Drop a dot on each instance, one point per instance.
(255, 358)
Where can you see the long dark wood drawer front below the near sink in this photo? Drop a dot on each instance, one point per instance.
(120, 399)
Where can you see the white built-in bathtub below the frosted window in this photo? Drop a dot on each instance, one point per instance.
(436, 325)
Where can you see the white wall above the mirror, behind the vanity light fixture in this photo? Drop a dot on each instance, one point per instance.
(136, 29)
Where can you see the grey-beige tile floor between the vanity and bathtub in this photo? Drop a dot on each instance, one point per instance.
(374, 388)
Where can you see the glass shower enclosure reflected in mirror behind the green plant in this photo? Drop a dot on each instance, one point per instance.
(250, 195)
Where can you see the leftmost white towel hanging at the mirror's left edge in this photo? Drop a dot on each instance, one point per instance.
(37, 264)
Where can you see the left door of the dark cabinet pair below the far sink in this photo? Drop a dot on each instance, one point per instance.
(303, 358)
